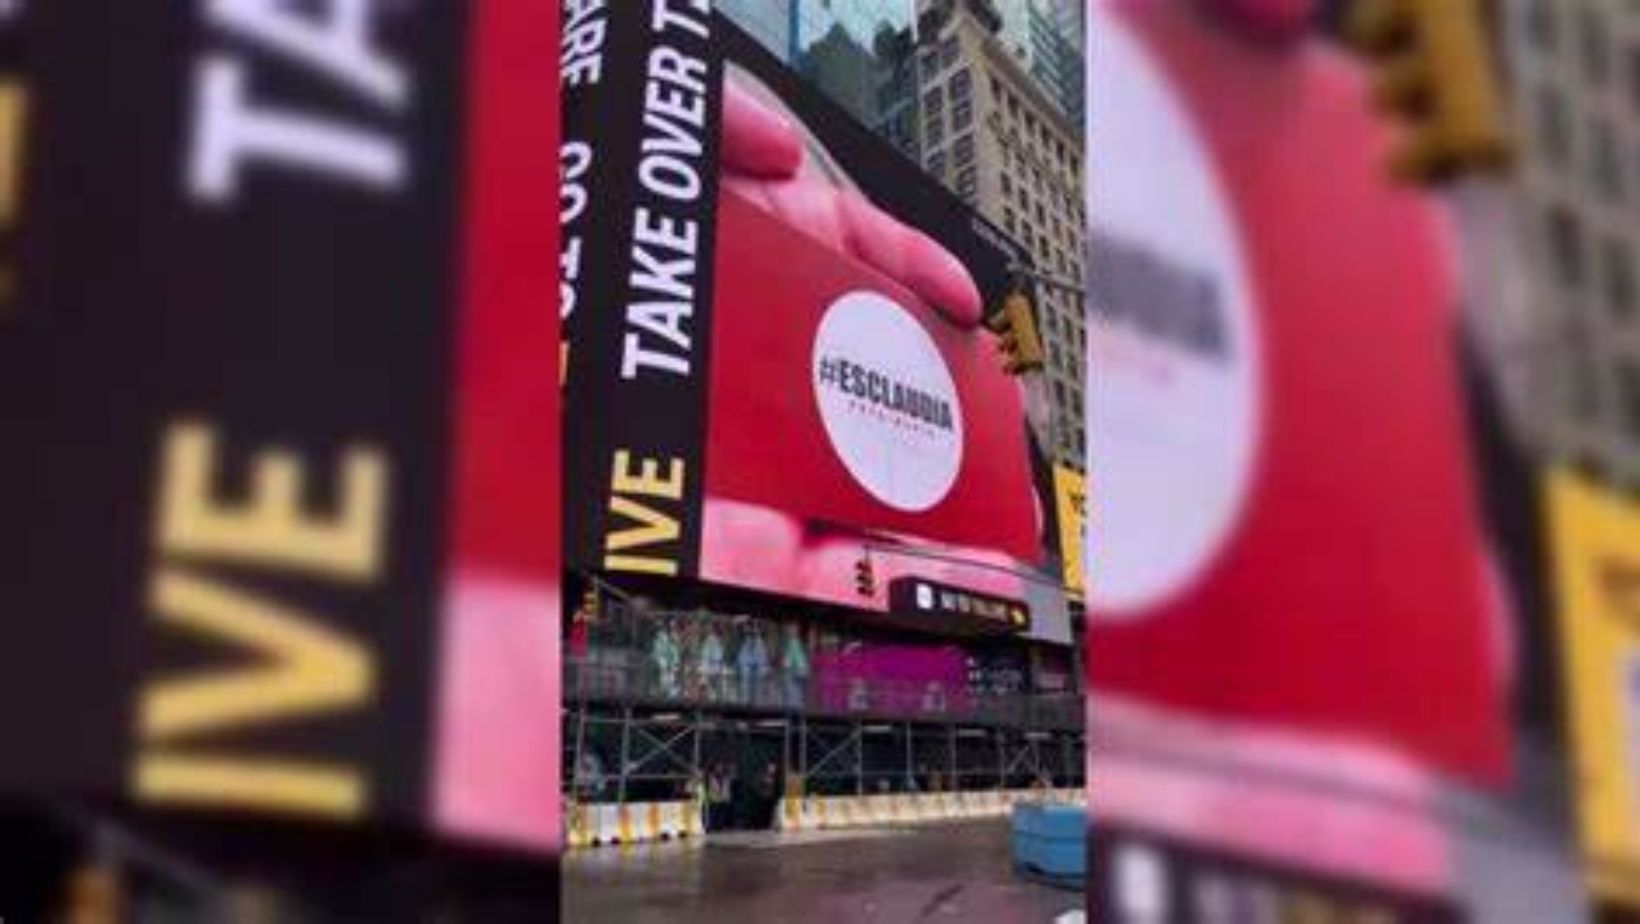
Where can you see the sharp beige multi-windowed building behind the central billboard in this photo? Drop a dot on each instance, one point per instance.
(996, 135)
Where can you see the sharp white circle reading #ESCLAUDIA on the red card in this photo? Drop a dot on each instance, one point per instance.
(888, 401)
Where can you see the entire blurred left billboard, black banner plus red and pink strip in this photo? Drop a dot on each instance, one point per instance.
(281, 337)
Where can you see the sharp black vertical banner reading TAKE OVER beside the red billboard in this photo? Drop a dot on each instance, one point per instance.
(642, 88)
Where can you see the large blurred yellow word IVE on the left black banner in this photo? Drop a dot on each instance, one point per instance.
(288, 664)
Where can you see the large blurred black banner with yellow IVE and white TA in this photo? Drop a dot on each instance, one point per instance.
(227, 405)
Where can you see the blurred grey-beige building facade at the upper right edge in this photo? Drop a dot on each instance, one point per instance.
(1575, 80)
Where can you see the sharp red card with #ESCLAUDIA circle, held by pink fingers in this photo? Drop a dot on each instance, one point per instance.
(840, 396)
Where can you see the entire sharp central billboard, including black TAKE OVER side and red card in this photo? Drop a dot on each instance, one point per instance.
(785, 375)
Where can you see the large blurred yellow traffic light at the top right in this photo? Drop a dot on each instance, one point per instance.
(1436, 71)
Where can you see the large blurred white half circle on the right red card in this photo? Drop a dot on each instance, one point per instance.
(1173, 411)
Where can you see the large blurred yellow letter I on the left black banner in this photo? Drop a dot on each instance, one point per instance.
(266, 784)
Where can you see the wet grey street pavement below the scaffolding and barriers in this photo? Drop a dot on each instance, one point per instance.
(947, 872)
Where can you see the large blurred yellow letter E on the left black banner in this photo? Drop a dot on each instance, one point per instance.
(271, 529)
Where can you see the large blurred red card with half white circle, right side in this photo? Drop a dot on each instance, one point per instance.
(1285, 531)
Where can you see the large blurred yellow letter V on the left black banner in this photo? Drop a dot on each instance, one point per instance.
(307, 669)
